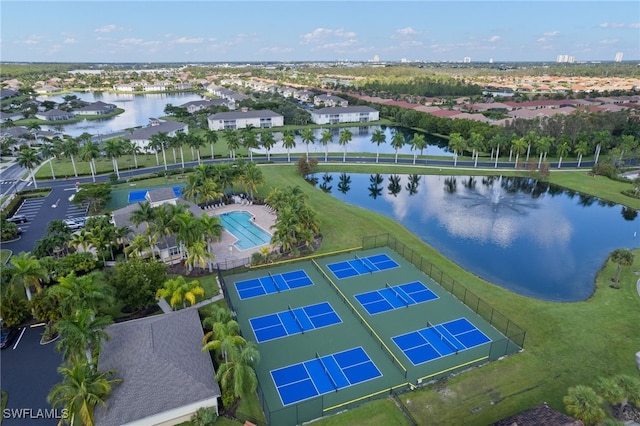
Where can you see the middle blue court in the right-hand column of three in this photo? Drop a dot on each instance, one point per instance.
(394, 297)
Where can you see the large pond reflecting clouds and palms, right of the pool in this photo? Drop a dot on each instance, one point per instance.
(532, 238)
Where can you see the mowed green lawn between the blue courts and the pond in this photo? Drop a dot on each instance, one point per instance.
(567, 343)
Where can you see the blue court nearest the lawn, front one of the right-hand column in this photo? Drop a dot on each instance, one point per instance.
(440, 340)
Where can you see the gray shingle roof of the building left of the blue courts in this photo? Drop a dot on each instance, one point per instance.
(161, 362)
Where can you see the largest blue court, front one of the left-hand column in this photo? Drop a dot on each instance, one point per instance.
(325, 374)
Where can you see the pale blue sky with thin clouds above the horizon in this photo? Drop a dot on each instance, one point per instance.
(239, 31)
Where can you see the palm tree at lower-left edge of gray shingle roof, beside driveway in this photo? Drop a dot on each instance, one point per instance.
(81, 389)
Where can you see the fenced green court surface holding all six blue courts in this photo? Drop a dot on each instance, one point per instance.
(369, 324)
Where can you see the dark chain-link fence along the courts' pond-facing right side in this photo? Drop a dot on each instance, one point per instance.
(514, 334)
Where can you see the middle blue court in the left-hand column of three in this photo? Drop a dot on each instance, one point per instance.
(294, 321)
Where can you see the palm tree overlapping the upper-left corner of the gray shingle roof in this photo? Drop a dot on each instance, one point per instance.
(81, 335)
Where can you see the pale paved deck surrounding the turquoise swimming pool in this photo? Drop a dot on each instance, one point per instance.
(225, 251)
